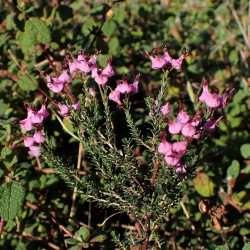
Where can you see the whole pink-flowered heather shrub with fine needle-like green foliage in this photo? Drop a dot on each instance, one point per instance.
(143, 189)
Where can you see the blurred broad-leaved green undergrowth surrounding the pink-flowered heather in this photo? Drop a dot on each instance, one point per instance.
(217, 35)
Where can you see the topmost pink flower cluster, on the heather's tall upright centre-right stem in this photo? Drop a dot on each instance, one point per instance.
(166, 60)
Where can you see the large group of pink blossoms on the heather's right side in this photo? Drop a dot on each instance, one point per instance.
(190, 127)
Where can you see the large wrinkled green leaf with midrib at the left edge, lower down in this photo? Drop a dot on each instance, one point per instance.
(11, 199)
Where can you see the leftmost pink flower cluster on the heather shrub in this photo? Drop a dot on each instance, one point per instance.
(34, 121)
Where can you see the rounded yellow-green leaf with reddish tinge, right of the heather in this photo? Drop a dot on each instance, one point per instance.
(204, 185)
